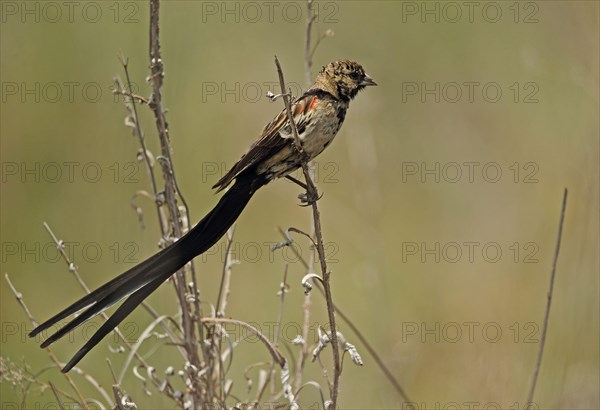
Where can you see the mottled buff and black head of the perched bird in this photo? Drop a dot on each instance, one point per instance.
(343, 79)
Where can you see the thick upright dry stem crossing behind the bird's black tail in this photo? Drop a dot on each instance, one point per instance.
(157, 74)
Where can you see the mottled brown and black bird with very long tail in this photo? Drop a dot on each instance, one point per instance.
(318, 115)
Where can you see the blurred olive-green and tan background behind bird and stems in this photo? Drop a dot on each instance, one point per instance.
(392, 235)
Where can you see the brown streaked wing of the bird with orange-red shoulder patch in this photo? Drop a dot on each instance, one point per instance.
(272, 140)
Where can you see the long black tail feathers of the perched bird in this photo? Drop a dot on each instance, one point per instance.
(144, 278)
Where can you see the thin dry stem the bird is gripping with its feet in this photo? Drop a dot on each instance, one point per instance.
(312, 195)
